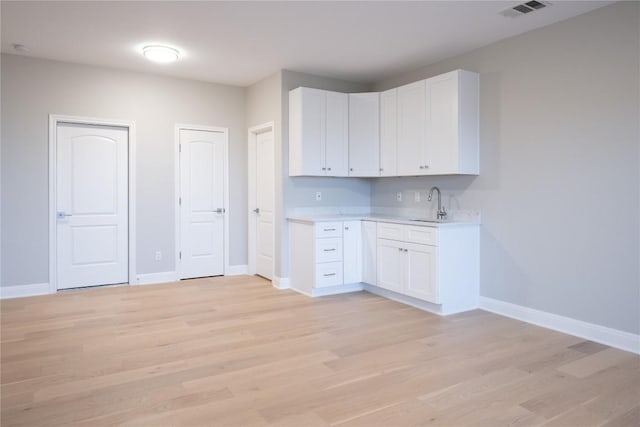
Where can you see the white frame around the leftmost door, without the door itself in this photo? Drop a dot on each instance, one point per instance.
(54, 121)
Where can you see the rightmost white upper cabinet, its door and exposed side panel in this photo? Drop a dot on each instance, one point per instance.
(452, 123)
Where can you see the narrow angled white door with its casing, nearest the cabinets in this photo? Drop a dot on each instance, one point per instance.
(261, 199)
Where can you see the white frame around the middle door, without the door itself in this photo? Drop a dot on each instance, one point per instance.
(225, 190)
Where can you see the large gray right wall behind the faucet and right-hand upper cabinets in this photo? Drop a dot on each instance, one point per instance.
(559, 182)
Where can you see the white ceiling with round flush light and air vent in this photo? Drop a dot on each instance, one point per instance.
(239, 43)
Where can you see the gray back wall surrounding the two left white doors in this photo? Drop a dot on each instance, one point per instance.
(33, 88)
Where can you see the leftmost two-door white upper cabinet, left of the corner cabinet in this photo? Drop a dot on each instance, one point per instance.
(318, 132)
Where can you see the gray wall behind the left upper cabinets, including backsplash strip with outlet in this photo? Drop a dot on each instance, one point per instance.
(300, 191)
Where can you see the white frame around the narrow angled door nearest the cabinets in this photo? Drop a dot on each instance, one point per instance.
(252, 222)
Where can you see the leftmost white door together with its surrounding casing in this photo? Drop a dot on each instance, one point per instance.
(91, 202)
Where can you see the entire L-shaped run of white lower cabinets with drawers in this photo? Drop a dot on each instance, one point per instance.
(434, 268)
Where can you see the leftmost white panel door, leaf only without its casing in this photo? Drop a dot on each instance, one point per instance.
(91, 205)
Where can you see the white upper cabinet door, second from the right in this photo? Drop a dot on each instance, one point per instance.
(412, 128)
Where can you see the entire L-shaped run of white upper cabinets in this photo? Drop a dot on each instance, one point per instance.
(429, 127)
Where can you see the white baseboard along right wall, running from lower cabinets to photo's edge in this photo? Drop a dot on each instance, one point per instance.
(608, 336)
